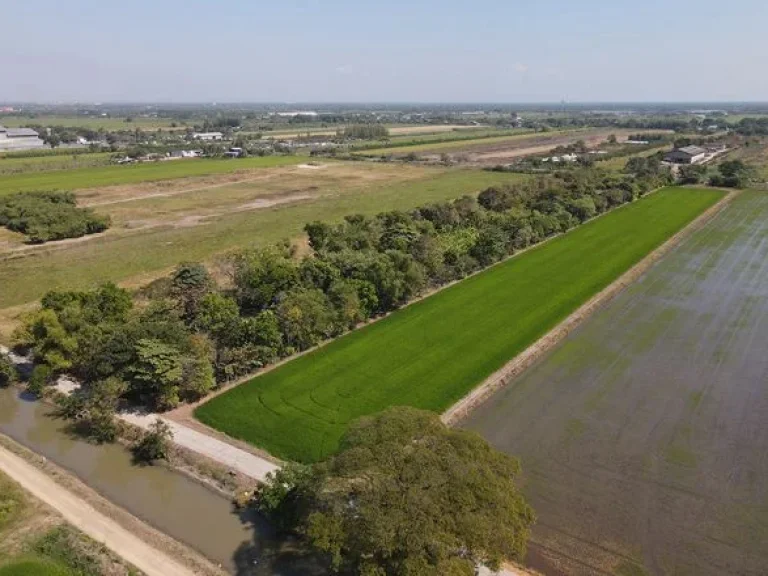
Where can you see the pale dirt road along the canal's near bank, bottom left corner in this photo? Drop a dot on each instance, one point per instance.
(77, 512)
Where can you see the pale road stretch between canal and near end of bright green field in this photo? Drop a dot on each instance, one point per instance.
(231, 456)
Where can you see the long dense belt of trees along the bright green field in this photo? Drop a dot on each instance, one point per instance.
(180, 335)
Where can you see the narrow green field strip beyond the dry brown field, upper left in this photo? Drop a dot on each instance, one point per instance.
(110, 175)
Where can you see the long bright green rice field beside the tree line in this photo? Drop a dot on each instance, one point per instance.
(430, 354)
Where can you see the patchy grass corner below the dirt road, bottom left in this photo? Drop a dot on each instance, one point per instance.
(35, 542)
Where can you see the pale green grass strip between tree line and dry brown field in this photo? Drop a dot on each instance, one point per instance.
(120, 257)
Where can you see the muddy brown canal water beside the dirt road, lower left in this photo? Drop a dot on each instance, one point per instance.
(182, 508)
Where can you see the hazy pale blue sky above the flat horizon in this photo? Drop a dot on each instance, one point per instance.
(392, 50)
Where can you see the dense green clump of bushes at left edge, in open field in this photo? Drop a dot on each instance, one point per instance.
(45, 216)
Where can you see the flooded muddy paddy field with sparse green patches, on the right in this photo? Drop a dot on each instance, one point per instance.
(643, 435)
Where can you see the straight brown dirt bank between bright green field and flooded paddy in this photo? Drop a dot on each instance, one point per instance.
(522, 361)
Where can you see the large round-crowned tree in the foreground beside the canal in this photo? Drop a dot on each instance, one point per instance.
(406, 496)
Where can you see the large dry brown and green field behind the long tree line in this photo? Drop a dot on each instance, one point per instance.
(198, 225)
